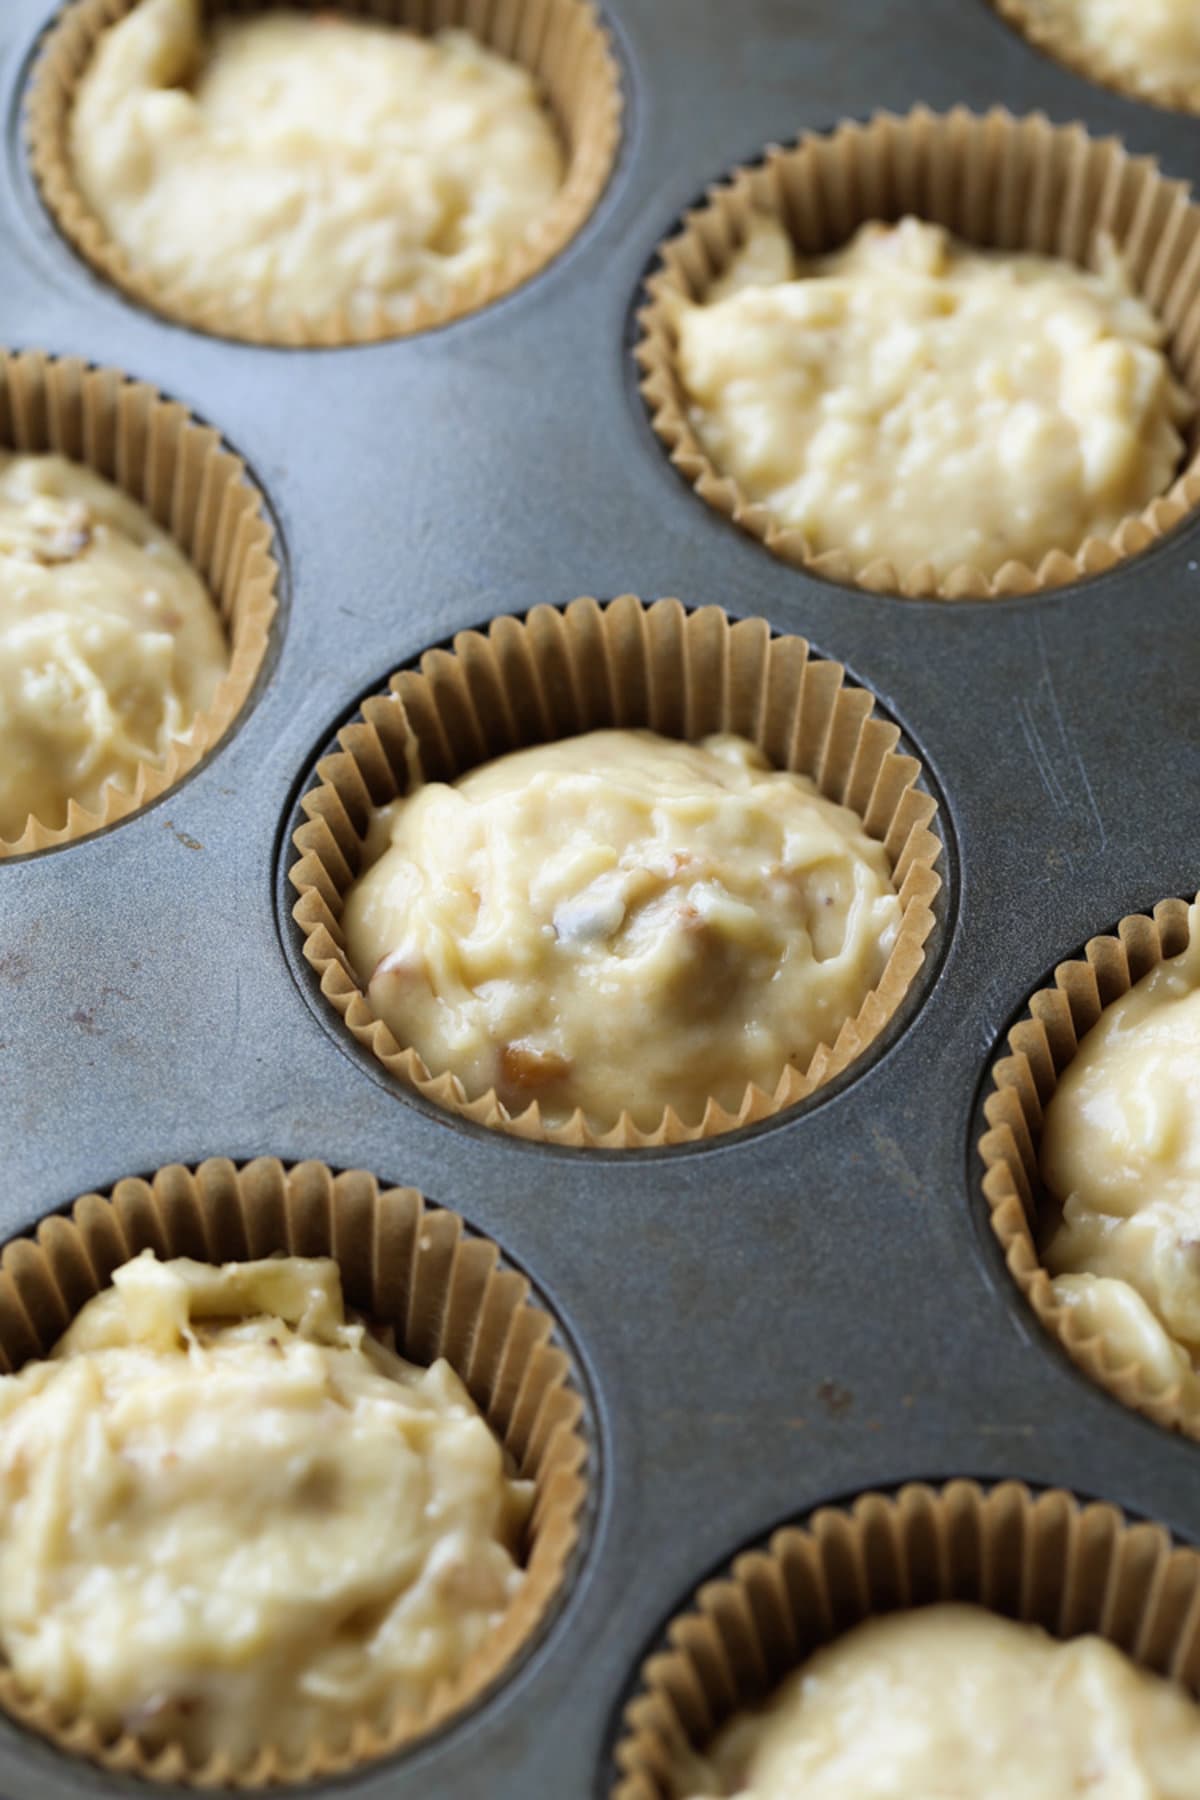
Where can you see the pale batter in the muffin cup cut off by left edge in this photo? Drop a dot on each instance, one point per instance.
(111, 643)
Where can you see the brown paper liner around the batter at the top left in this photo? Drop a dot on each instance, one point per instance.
(560, 42)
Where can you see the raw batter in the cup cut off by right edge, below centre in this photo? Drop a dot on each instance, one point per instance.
(1122, 1151)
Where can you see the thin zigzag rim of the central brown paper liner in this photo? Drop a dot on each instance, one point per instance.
(881, 1005)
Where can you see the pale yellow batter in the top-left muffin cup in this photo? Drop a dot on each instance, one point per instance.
(300, 166)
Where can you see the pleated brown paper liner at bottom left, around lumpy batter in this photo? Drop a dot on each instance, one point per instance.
(406, 1266)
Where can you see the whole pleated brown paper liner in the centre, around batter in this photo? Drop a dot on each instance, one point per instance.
(562, 672)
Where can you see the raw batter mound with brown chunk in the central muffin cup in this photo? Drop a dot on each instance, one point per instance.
(620, 921)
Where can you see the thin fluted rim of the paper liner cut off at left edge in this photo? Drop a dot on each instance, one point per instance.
(247, 642)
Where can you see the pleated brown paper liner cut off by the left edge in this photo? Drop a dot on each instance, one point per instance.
(193, 489)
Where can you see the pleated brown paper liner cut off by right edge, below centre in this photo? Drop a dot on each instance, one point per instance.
(1041, 1047)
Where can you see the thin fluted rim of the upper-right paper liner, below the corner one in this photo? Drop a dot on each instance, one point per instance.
(667, 404)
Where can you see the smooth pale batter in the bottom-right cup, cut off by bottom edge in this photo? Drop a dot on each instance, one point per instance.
(956, 1704)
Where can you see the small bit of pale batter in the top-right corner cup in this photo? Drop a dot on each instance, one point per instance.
(1152, 46)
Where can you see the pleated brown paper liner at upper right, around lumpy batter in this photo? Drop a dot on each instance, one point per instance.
(996, 181)
